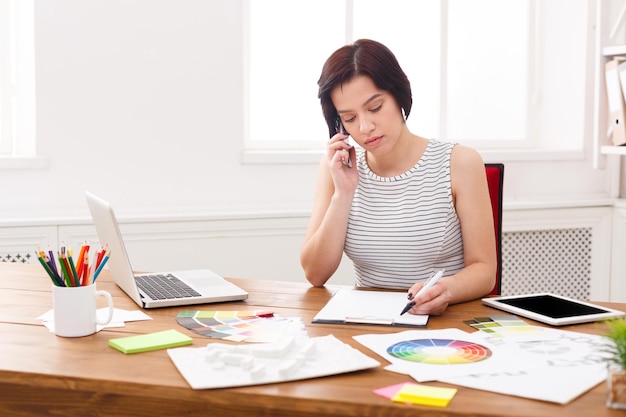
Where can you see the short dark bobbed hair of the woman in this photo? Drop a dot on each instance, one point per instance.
(363, 57)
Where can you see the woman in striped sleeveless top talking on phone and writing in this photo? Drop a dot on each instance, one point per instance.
(402, 207)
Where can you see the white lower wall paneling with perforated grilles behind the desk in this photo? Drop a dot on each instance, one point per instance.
(564, 250)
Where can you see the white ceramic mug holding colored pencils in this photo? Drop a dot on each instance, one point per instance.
(75, 310)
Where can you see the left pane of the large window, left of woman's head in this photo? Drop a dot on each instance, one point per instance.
(289, 42)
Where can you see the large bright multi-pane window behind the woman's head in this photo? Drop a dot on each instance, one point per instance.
(477, 68)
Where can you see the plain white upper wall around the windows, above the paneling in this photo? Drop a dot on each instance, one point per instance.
(142, 102)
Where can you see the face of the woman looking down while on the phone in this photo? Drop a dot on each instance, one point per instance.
(371, 116)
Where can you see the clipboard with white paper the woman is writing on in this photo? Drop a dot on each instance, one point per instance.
(369, 307)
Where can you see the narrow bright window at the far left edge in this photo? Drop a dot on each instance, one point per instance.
(17, 80)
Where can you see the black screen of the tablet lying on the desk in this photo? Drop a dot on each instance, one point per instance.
(550, 306)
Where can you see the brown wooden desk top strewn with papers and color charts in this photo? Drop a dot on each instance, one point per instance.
(42, 374)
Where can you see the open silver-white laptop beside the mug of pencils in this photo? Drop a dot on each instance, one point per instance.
(198, 286)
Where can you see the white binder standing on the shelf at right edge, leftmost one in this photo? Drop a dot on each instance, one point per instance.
(615, 96)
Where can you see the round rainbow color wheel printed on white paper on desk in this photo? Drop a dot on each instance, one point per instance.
(439, 351)
